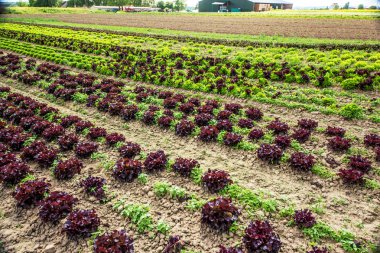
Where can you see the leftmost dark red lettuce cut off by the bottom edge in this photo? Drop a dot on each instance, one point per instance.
(114, 242)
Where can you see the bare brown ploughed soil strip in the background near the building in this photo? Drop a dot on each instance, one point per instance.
(290, 27)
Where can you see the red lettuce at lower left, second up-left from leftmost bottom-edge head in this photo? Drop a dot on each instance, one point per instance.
(56, 206)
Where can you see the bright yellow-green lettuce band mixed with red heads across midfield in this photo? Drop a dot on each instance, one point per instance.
(217, 73)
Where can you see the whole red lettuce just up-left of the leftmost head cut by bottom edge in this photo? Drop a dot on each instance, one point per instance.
(81, 223)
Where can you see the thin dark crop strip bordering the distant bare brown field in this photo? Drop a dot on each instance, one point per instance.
(322, 45)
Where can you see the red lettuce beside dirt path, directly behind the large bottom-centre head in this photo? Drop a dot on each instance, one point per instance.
(216, 180)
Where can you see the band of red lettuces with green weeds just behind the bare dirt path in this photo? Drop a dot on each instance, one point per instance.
(203, 119)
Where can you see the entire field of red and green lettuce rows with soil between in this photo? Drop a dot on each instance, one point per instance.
(121, 141)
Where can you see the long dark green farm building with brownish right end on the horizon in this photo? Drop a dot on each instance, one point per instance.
(242, 5)
